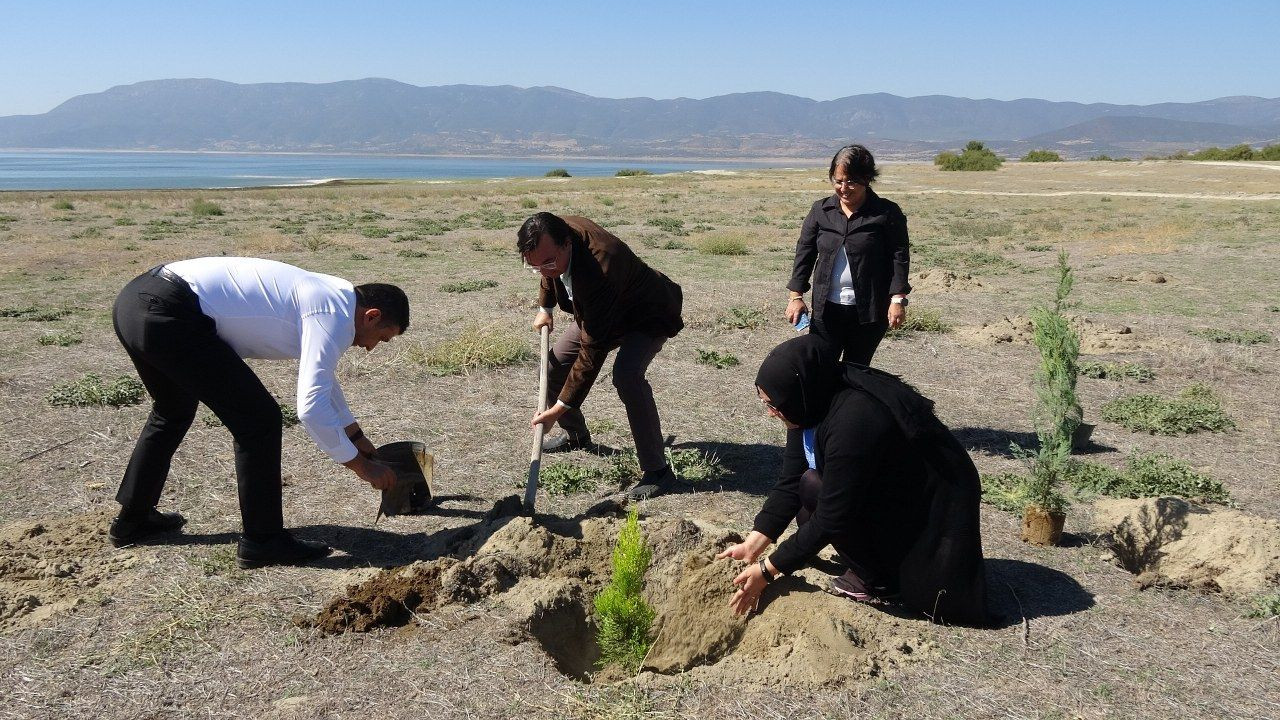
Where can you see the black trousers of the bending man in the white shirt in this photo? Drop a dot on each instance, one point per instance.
(182, 363)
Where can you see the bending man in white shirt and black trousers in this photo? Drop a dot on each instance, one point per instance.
(189, 326)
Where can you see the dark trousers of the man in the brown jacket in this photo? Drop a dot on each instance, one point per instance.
(629, 368)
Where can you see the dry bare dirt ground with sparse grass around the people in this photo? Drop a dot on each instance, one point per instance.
(176, 631)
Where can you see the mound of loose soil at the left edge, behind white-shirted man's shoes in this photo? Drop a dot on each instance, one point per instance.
(53, 566)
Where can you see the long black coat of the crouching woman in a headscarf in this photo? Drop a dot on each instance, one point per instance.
(898, 486)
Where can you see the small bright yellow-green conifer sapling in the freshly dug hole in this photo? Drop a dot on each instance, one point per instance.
(623, 616)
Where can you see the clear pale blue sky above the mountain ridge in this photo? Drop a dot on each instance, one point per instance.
(1117, 52)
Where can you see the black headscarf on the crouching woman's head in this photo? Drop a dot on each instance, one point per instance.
(801, 377)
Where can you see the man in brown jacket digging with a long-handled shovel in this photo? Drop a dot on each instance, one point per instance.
(618, 303)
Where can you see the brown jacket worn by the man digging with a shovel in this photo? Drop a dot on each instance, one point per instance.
(615, 294)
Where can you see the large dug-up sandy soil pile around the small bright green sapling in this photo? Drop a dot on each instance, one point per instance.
(545, 578)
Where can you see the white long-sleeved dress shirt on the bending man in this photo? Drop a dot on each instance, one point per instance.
(272, 311)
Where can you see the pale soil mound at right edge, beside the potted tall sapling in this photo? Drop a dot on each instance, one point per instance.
(1169, 541)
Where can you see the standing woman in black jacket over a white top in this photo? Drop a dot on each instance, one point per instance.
(856, 247)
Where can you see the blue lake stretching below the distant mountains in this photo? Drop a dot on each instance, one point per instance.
(150, 171)
